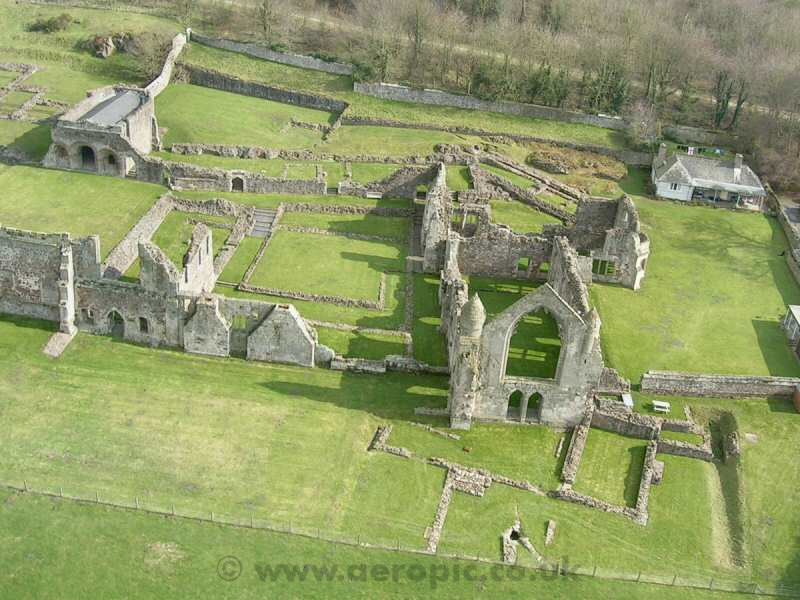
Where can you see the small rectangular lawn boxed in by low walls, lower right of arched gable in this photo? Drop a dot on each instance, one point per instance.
(611, 467)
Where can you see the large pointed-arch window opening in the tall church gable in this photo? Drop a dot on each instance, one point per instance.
(535, 347)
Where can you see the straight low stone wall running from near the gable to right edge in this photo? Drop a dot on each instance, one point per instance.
(673, 383)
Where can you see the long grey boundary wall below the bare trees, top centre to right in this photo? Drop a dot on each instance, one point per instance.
(402, 93)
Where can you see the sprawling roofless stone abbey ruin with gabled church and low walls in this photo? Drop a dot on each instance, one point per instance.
(452, 236)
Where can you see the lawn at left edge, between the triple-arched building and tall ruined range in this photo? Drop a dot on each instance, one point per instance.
(78, 203)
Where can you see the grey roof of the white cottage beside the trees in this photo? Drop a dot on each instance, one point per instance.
(713, 173)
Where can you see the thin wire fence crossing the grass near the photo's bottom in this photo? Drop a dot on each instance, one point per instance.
(683, 580)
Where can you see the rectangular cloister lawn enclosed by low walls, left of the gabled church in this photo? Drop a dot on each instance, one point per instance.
(301, 262)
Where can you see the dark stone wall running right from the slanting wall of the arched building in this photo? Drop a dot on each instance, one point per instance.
(226, 83)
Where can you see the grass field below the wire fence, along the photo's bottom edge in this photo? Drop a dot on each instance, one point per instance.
(56, 550)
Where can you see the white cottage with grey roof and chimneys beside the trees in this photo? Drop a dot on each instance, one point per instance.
(696, 178)
